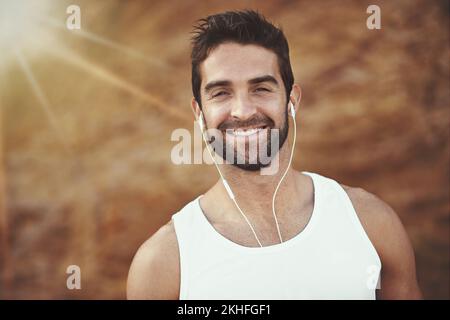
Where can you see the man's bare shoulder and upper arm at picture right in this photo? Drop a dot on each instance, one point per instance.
(385, 230)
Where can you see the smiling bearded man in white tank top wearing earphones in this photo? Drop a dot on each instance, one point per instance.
(326, 240)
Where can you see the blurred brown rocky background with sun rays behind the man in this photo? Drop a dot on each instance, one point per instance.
(86, 117)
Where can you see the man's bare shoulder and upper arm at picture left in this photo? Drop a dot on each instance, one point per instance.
(154, 272)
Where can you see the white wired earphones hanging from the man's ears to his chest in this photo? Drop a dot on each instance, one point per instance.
(201, 123)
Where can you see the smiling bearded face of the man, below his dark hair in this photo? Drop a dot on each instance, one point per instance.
(244, 97)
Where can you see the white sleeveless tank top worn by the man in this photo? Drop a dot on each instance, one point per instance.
(331, 258)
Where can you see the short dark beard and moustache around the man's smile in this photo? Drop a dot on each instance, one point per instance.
(234, 155)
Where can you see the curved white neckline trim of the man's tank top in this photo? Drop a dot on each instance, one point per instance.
(274, 247)
